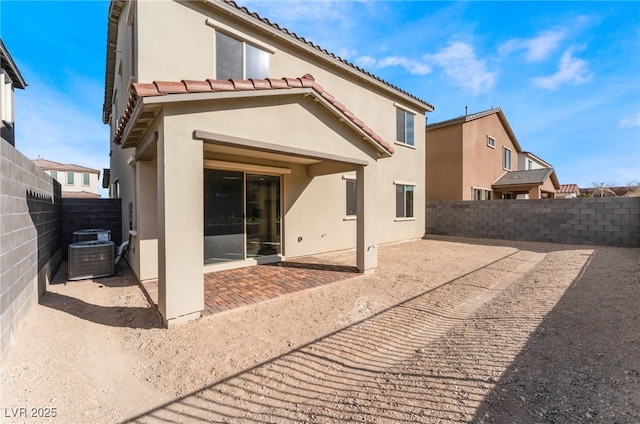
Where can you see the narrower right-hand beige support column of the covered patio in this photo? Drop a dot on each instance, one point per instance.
(367, 233)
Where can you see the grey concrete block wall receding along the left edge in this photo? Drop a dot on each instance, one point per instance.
(30, 237)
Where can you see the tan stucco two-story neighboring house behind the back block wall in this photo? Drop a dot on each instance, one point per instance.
(478, 157)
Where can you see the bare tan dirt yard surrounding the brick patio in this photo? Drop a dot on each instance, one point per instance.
(445, 331)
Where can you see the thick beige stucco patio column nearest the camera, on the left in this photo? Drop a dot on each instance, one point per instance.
(180, 227)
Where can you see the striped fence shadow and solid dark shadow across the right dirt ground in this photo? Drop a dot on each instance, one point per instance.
(511, 354)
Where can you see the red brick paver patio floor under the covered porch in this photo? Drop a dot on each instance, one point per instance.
(225, 290)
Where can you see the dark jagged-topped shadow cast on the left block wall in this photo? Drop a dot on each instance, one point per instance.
(46, 214)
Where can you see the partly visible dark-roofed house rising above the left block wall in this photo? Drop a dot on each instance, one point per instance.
(10, 79)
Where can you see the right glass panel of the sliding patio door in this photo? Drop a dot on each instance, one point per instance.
(263, 215)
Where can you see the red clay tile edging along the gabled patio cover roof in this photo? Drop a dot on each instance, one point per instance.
(164, 88)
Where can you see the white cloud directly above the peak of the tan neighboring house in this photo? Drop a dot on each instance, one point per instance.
(460, 63)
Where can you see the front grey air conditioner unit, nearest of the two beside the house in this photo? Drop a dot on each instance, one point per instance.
(91, 259)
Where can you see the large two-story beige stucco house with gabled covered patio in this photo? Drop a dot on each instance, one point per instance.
(228, 147)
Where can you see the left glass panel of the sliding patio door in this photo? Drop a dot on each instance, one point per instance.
(223, 223)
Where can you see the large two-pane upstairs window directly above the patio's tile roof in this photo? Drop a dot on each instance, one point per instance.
(238, 59)
